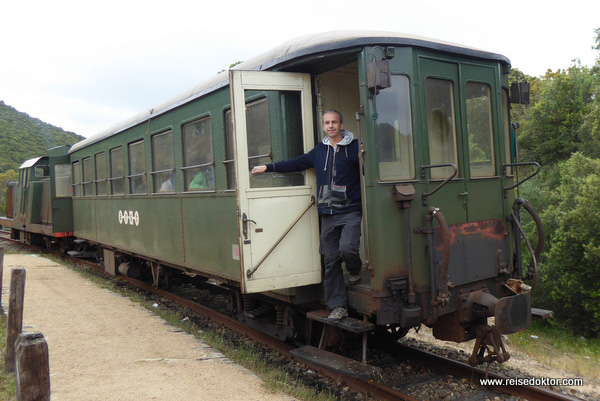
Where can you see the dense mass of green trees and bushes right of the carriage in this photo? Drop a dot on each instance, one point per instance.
(560, 129)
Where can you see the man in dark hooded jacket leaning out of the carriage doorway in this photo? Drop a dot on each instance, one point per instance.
(336, 164)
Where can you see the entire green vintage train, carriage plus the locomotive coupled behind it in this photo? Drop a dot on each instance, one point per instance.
(170, 191)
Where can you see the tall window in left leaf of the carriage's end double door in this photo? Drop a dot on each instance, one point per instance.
(441, 125)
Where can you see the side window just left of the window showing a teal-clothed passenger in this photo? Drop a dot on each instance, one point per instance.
(163, 165)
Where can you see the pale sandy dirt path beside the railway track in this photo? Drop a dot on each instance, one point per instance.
(103, 346)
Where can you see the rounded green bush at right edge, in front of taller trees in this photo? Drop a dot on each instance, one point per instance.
(569, 278)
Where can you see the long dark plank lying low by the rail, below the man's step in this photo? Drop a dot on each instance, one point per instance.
(337, 363)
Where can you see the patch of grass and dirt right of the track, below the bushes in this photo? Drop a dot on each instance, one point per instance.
(558, 348)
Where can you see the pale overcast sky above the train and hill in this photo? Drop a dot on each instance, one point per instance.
(85, 66)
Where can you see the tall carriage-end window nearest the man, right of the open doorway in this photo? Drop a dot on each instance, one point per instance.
(394, 131)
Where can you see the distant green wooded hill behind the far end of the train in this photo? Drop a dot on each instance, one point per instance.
(23, 137)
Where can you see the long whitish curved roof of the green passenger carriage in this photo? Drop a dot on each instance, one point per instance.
(294, 48)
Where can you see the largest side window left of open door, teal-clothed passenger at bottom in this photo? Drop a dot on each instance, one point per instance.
(198, 162)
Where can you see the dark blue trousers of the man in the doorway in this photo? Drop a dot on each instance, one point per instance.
(340, 242)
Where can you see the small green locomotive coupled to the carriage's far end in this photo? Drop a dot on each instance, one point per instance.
(38, 204)
